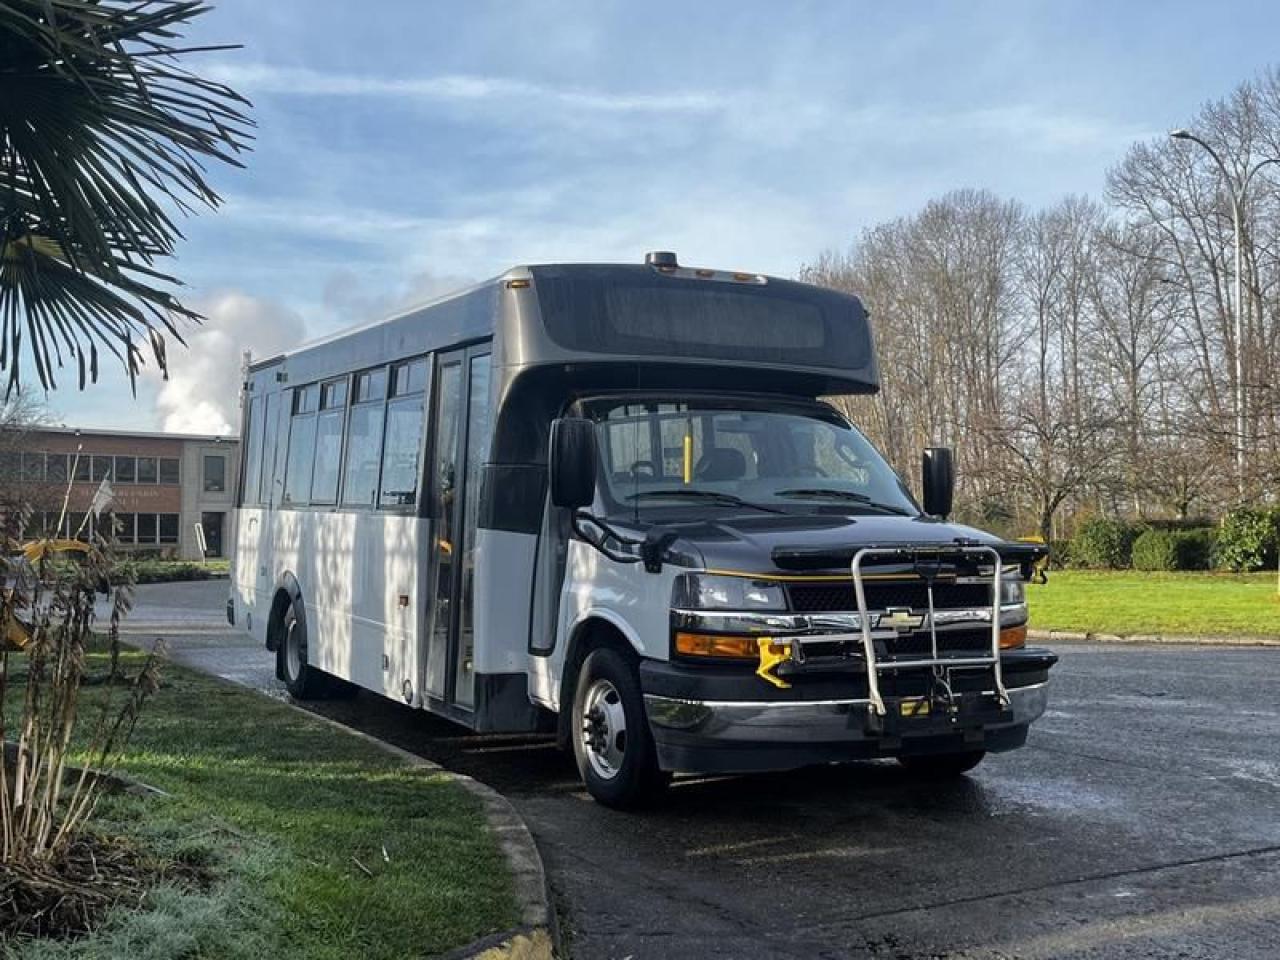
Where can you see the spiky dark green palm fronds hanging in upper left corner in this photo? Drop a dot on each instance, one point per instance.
(103, 143)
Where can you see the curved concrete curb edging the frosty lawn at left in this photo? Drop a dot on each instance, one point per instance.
(537, 938)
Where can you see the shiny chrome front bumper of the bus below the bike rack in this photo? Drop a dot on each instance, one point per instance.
(802, 723)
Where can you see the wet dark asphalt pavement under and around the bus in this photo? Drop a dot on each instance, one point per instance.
(1141, 821)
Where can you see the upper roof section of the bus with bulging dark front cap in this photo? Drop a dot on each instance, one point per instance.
(656, 314)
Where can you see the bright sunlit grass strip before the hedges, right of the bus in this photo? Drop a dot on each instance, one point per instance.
(1131, 602)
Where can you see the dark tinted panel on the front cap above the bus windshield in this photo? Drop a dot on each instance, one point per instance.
(647, 314)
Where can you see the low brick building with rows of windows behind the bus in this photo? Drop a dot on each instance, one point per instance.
(163, 484)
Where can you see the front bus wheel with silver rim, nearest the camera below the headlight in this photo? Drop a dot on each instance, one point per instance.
(610, 732)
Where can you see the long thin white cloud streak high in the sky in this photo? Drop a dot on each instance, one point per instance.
(295, 81)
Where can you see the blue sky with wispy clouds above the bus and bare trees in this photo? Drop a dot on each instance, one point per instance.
(408, 148)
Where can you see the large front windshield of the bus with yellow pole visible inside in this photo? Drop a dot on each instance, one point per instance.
(661, 454)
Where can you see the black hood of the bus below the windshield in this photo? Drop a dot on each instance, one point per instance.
(790, 543)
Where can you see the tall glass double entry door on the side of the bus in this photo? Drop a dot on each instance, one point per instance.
(461, 432)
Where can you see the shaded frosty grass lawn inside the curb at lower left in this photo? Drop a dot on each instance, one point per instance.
(281, 807)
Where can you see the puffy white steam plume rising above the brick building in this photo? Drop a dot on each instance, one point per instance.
(202, 395)
